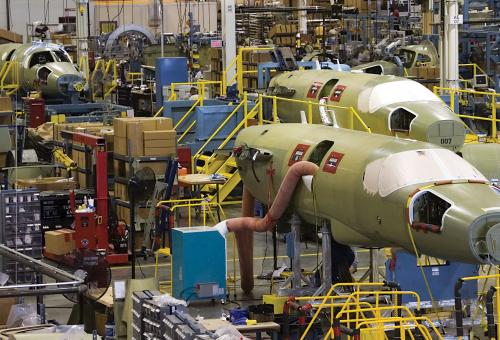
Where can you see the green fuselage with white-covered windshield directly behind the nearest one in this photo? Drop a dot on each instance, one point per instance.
(388, 105)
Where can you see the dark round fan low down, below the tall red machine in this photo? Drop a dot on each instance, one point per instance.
(93, 269)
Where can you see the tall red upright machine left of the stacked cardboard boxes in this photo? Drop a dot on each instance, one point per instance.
(92, 229)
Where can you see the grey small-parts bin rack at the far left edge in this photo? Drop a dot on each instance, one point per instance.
(20, 224)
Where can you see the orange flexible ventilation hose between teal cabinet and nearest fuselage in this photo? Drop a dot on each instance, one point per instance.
(246, 225)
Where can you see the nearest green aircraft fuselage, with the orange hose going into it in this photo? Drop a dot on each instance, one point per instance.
(373, 188)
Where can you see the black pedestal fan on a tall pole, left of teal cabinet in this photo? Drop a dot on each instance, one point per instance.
(140, 189)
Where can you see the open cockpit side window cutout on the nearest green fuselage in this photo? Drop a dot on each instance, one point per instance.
(428, 210)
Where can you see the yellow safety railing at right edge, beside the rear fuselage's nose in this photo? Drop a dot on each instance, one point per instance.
(493, 104)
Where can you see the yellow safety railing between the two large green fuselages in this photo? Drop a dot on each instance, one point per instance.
(351, 111)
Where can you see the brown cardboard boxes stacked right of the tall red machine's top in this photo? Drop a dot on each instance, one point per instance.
(144, 137)
